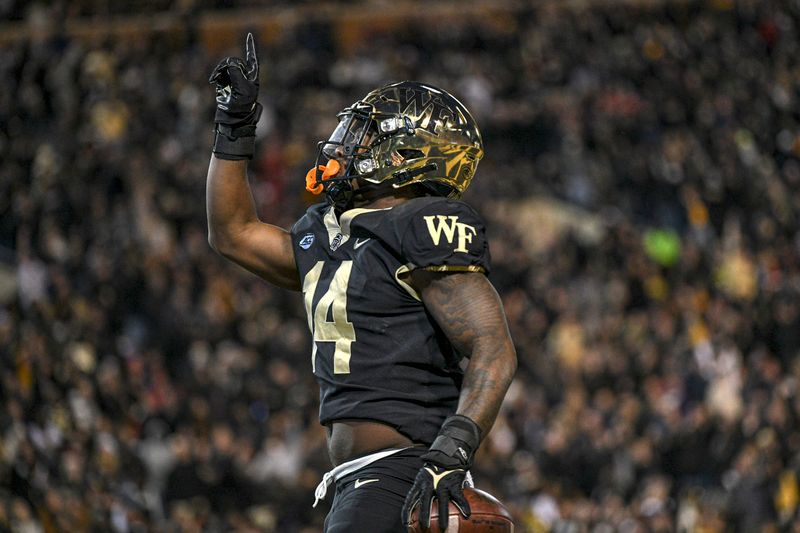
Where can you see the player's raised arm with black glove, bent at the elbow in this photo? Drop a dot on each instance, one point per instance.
(234, 229)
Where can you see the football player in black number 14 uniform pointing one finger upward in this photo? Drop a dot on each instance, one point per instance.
(411, 348)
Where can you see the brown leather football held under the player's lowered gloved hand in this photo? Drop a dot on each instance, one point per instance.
(488, 516)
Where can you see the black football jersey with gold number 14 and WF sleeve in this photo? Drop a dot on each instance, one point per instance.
(377, 353)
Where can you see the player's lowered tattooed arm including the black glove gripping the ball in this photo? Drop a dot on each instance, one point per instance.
(469, 311)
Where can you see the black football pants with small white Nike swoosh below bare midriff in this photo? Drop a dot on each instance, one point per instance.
(369, 500)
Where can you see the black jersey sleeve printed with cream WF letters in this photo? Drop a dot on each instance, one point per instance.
(446, 236)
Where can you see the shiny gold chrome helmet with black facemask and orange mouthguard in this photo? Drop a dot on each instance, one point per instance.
(398, 135)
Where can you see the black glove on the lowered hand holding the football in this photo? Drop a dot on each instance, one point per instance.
(444, 472)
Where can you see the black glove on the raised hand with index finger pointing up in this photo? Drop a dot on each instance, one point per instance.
(237, 109)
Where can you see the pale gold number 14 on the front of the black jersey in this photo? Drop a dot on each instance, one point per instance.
(334, 304)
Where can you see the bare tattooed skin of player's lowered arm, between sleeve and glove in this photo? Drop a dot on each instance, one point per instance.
(469, 311)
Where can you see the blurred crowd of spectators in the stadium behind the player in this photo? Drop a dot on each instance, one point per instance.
(641, 187)
